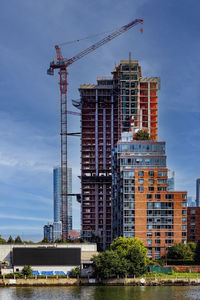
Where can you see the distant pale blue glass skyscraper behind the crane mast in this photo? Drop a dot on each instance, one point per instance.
(57, 198)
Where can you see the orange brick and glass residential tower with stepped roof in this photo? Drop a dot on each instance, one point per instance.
(142, 205)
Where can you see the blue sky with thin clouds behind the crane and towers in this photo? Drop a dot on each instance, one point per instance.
(29, 99)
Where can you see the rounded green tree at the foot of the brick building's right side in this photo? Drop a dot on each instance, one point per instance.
(180, 251)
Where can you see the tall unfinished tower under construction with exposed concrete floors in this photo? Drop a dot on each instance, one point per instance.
(106, 111)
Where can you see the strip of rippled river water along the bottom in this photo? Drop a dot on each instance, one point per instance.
(102, 293)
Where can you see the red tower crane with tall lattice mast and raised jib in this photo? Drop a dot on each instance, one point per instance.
(62, 65)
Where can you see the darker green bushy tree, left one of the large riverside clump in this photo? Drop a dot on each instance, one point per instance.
(109, 264)
